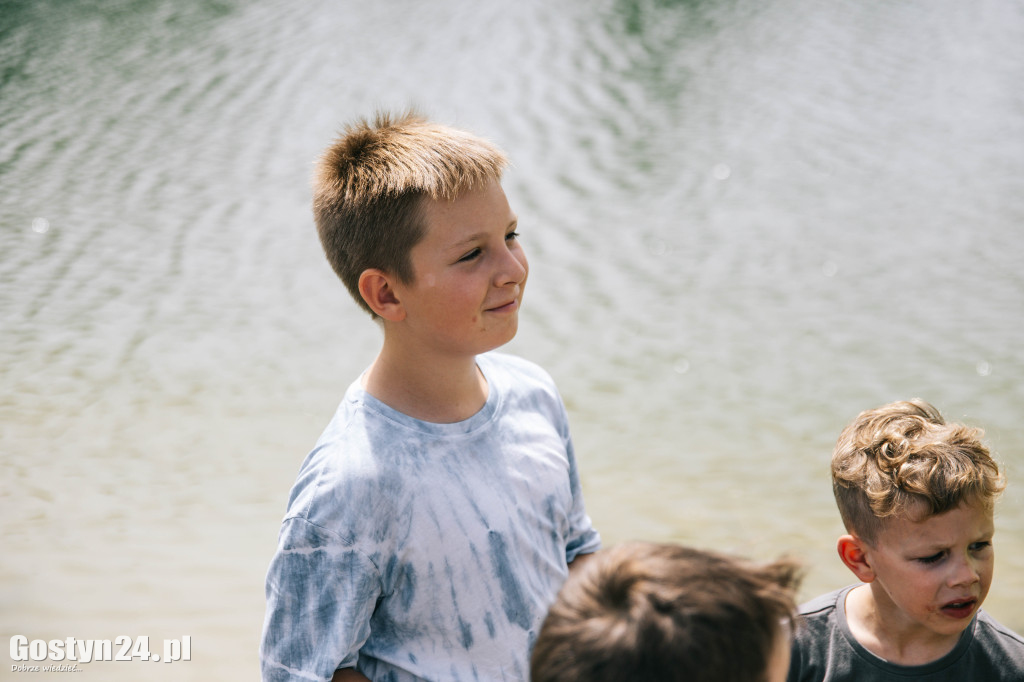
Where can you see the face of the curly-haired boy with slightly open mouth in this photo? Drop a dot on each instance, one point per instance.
(933, 575)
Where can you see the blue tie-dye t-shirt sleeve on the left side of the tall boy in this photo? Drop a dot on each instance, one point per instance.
(321, 595)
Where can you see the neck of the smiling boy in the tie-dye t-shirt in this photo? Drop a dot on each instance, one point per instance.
(442, 391)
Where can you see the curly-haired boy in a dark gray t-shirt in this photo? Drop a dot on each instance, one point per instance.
(916, 495)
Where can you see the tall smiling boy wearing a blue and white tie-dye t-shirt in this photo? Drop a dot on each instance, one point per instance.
(437, 518)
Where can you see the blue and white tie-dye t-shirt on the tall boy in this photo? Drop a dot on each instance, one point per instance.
(421, 551)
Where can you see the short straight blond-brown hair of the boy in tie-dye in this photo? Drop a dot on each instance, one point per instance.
(369, 186)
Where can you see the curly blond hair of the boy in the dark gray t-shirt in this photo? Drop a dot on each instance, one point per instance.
(905, 460)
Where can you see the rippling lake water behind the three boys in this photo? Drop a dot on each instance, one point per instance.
(746, 225)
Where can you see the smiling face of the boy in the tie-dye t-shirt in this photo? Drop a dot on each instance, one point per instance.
(470, 275)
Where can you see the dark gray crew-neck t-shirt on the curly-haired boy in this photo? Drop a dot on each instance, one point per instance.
(825, 651)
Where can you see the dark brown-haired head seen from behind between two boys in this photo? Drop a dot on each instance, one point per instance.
(666, 614)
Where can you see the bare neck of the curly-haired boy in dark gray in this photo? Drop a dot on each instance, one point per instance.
(883, 632)
